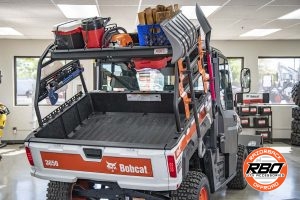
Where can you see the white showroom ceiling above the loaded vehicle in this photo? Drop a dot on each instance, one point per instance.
(35, 18)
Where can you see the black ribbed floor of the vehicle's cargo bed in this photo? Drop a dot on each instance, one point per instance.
(135, 128)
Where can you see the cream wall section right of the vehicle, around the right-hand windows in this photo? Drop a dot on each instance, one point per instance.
(251, 50)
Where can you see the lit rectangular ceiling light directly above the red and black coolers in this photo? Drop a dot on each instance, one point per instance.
(78, 11)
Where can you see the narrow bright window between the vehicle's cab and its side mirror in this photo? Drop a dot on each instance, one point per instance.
(236, 64)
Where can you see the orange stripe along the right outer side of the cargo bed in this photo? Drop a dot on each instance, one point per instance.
(190, 133)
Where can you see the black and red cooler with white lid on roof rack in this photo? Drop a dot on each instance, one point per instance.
(68, 35)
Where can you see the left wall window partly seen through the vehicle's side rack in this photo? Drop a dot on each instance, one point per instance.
(25, 80)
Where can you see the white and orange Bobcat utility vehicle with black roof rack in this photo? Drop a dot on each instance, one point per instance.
(120, 143)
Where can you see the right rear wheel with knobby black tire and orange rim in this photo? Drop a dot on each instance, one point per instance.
(192, 187)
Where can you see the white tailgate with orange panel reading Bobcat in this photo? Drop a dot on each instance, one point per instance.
(141, 169)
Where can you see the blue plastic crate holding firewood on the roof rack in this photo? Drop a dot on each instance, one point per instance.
(151, 35)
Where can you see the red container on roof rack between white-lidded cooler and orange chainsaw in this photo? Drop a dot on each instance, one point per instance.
(93, 38)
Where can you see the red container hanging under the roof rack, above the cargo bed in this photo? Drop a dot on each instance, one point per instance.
(153, 63)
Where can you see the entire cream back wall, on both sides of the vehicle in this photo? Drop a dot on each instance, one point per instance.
(21, 116)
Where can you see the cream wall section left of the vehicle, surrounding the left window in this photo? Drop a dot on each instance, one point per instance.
(22, 116)
